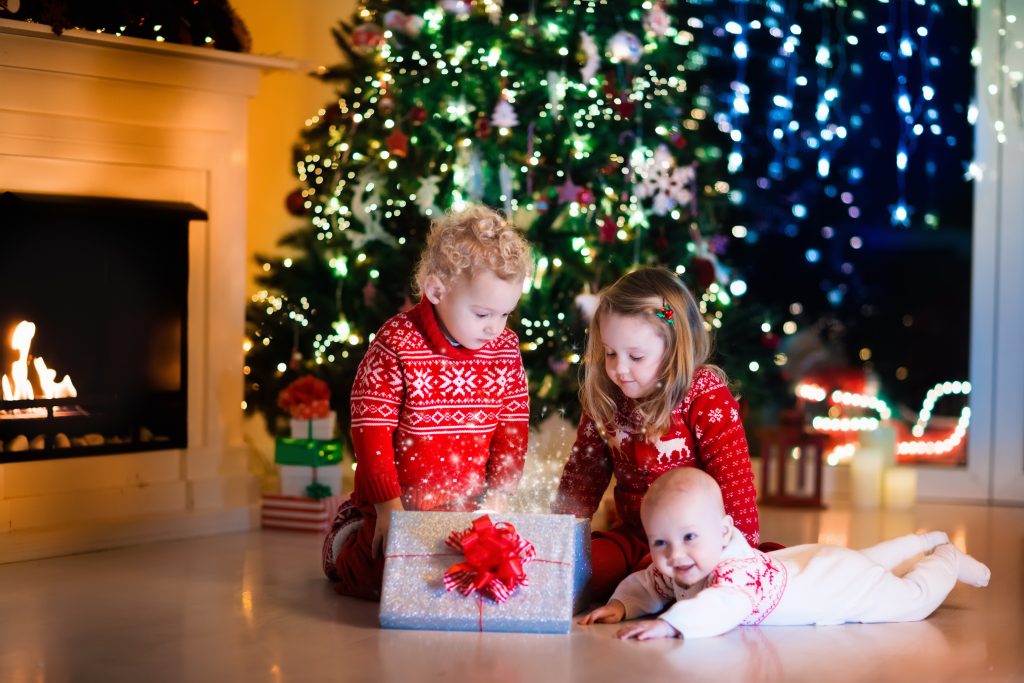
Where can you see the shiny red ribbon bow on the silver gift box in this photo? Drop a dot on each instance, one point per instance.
(495, 556)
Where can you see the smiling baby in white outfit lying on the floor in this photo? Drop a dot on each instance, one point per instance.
(713, 581)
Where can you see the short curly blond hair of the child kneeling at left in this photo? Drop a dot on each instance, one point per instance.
(459, 244)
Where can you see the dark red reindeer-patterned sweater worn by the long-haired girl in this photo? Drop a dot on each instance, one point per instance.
(706, 433)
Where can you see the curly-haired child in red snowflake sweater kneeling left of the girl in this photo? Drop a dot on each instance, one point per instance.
(440, 405)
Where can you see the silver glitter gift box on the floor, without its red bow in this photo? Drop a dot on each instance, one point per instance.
(414, 595)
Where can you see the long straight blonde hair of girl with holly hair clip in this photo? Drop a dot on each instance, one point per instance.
(646, 293)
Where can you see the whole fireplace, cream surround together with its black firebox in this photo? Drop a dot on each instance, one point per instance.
(141, 124)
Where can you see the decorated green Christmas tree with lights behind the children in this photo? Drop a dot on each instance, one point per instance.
(586, 123)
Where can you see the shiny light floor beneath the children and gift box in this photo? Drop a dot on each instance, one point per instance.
(255, 608)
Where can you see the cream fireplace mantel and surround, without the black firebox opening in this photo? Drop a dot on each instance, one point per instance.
(95, 115)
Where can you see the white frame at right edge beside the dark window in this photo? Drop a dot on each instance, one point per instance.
(996, 460)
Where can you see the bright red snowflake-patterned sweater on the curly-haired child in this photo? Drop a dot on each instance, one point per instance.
(438, 424)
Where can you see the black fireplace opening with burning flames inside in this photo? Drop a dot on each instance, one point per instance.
(94, 326)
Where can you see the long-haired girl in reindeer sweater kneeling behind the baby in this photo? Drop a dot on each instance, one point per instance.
(651, 404)
